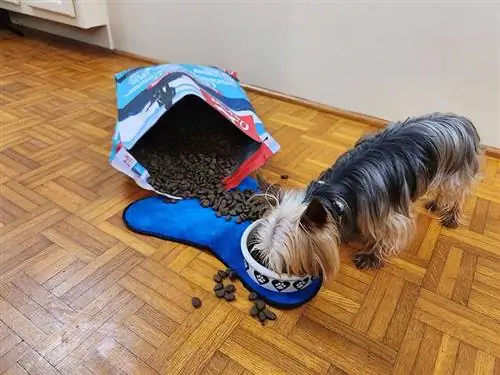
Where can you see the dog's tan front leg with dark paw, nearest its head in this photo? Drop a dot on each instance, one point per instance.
(386, 238)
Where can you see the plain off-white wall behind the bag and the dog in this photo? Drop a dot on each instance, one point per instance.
(384, 58)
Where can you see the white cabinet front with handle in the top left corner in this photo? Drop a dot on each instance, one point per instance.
(84, 14)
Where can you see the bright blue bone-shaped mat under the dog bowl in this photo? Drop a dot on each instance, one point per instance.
(187, 222)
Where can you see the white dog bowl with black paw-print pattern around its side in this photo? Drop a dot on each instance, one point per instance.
(267, 278)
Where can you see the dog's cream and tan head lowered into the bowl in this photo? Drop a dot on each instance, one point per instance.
(298, 235)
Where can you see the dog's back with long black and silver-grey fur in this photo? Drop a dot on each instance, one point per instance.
(410, 154)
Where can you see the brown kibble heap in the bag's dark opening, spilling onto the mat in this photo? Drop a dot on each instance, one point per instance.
(192, 158)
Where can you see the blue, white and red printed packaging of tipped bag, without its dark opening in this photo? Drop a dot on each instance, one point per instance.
(145, 94)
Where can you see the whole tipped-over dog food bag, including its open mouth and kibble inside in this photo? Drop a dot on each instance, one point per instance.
(182, 125)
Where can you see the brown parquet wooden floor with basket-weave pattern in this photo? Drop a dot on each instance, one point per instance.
(79, 294)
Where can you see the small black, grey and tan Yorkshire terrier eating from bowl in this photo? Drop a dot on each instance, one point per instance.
(368, 194)
